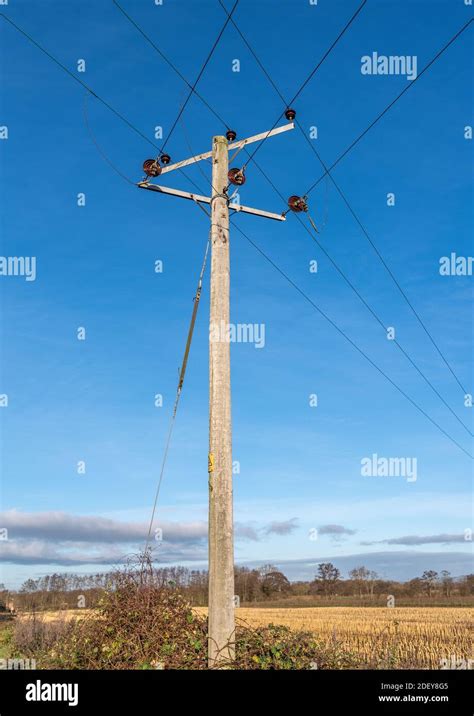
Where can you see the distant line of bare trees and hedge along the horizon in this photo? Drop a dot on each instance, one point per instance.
(252, 586)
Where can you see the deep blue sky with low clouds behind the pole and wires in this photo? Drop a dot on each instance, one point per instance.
(93, 400)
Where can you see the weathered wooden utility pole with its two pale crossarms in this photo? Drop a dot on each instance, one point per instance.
(221, 630)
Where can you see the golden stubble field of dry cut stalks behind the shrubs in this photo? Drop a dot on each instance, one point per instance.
(407, 636)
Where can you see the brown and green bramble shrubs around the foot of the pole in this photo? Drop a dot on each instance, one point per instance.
(141, 626)
